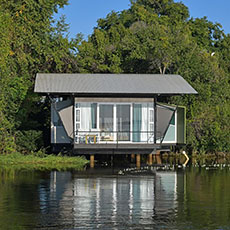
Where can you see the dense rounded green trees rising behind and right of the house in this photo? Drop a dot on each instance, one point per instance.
(157, 36)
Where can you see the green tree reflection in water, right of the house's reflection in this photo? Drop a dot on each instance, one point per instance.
(205, 200)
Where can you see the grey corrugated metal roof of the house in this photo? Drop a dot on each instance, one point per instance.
(143, 84)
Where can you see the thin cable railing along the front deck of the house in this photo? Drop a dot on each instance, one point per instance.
(113, 137)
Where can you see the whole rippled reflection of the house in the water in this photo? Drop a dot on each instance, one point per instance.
(112, 202)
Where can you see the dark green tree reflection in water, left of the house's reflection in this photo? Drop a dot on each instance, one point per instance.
(19, 198)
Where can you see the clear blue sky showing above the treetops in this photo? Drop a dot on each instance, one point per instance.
(82, 15)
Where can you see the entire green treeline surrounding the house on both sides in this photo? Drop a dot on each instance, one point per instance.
(153, 36)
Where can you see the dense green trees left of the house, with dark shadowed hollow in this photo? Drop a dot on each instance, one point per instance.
(30, 42)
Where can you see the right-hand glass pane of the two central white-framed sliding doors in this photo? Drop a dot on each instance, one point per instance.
(123, 122)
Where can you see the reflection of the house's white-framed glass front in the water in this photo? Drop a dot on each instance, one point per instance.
(111, 201)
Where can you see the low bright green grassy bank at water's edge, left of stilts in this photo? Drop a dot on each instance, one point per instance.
(47, 162)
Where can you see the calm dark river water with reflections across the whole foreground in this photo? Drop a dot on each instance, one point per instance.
(194, 198)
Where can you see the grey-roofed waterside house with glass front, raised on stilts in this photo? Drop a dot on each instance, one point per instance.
(114, 113)
